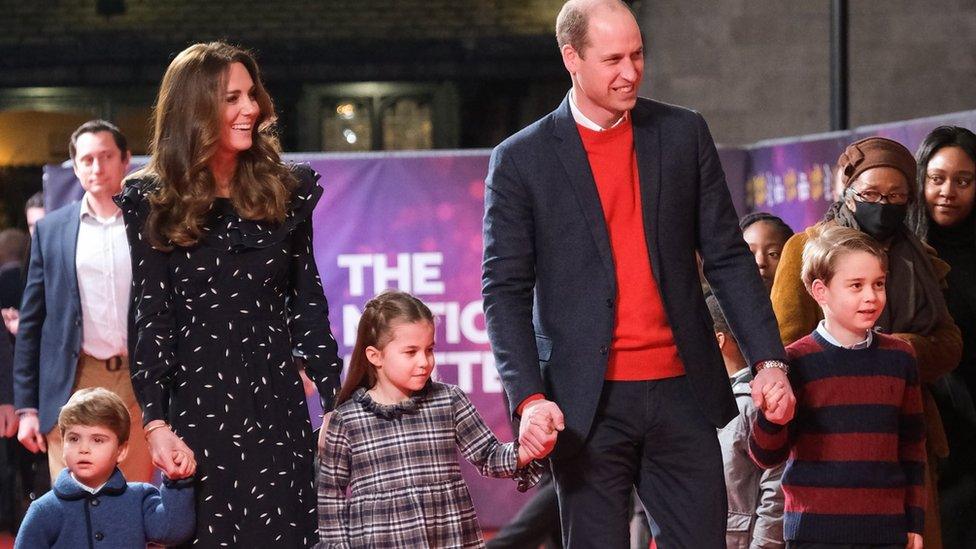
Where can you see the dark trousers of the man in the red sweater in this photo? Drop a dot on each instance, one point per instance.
(652, 435)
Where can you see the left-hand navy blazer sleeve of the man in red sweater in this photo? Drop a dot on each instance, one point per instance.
(508, 278)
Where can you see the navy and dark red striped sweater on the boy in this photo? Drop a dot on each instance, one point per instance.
(855, 450)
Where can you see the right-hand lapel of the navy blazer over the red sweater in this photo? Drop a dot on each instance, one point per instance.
(647, 143)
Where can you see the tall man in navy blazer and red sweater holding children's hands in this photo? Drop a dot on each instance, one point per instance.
(593, 217)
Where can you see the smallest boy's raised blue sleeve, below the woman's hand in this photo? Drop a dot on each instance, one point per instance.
(168, 513)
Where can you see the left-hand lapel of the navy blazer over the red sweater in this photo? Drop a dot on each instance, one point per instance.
(570, 151)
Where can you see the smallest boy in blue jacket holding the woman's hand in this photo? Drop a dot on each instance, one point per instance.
(91, 504)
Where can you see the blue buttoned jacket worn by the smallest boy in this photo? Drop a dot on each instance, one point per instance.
(121, 515)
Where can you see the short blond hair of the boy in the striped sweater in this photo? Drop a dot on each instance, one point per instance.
(828, 245)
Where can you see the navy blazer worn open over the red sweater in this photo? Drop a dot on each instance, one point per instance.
(548, 279)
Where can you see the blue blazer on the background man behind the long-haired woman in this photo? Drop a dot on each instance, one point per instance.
(49, 336)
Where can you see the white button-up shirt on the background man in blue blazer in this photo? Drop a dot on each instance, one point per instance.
(104, 281)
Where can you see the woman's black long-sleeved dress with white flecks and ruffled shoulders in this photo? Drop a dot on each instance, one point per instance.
(216, 328)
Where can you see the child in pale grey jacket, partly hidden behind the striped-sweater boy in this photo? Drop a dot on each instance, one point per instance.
(755, 496)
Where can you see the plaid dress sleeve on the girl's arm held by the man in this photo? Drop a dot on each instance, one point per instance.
(479, 446)
